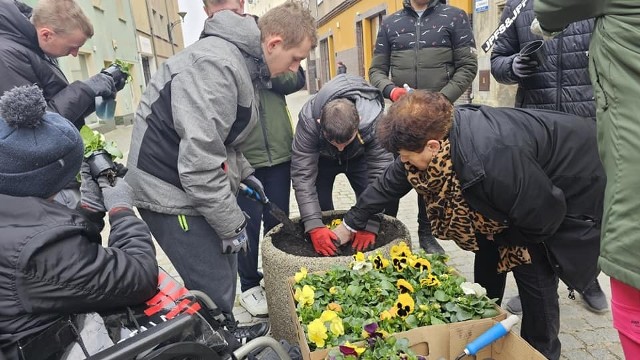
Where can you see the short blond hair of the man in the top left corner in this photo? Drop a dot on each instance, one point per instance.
(61, 16)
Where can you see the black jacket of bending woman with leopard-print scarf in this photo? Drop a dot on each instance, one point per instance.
(528, 169)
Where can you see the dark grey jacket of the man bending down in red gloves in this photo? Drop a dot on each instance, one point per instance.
(309, 144)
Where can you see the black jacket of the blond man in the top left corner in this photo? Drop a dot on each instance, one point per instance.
(22, 62)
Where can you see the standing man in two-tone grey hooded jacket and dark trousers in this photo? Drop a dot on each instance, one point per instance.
(185, 165)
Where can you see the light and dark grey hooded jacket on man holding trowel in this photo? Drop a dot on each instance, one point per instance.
(192, 119)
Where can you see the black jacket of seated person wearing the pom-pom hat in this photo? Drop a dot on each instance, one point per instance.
(52, 263)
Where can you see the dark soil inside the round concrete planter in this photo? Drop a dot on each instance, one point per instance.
(301, 245)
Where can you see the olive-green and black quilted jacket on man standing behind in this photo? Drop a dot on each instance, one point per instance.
(435, 51)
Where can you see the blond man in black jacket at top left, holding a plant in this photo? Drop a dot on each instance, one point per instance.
(31, 42)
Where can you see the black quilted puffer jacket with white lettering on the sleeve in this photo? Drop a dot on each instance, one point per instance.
(562, 83)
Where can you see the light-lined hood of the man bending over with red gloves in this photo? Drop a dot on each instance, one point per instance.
(368, 99)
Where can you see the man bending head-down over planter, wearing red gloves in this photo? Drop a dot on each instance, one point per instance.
(336, 134)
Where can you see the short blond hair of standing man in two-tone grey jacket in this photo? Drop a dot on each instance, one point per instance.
(292, 21)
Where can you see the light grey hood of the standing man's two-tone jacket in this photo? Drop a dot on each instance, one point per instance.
(242, 31)
